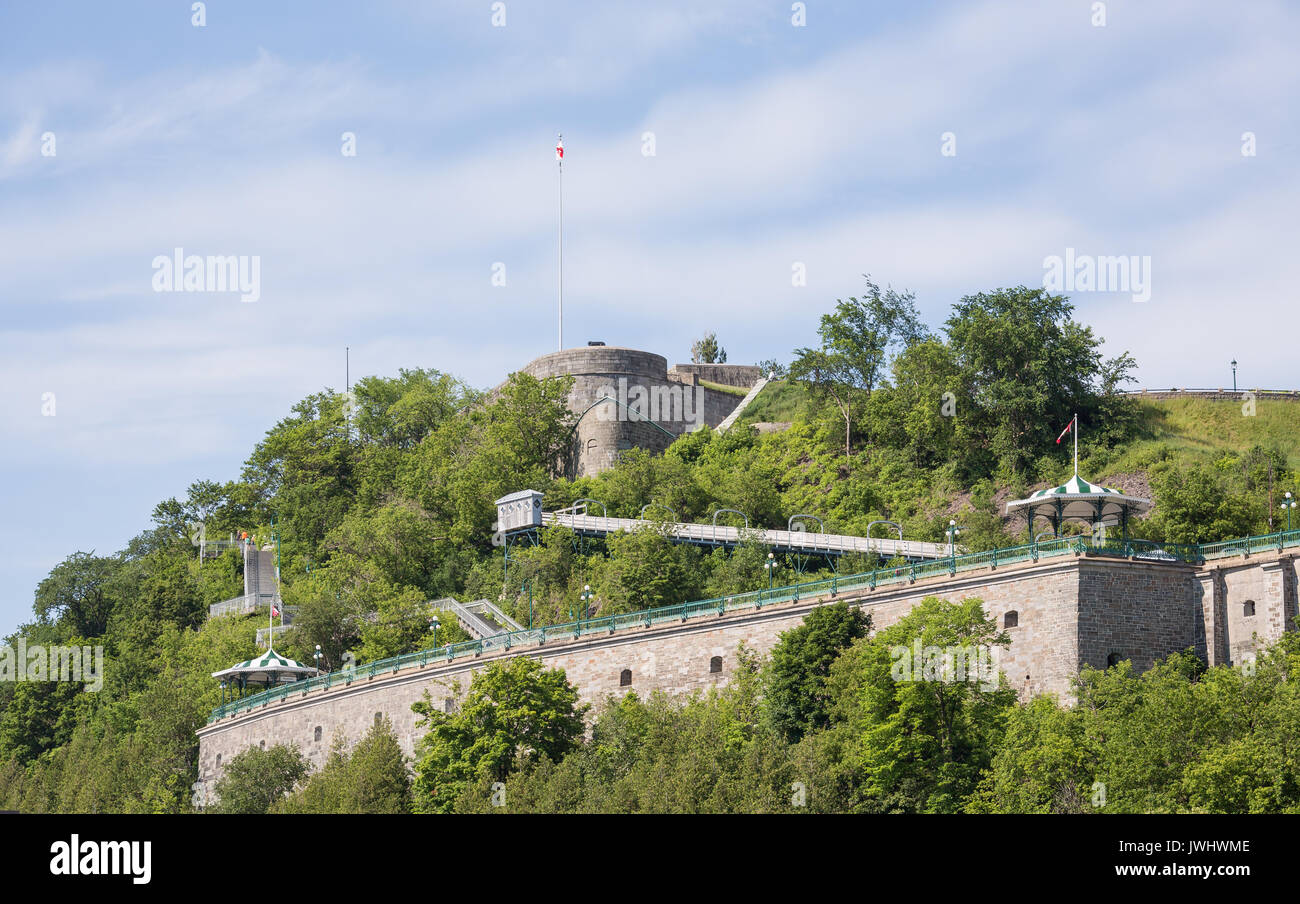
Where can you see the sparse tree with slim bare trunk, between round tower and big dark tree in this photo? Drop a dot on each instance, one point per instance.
(856, 340)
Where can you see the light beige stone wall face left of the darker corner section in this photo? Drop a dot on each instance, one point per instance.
(674, 659)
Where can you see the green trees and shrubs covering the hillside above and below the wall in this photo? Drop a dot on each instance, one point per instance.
(380, 503)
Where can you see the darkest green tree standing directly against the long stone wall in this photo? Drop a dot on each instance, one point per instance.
(798, 694)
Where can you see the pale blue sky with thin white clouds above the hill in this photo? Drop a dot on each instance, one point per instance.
(714, 152)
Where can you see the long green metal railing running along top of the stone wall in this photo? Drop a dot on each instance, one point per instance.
(904, 574)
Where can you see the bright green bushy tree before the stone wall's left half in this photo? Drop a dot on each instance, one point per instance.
(515, 713)
